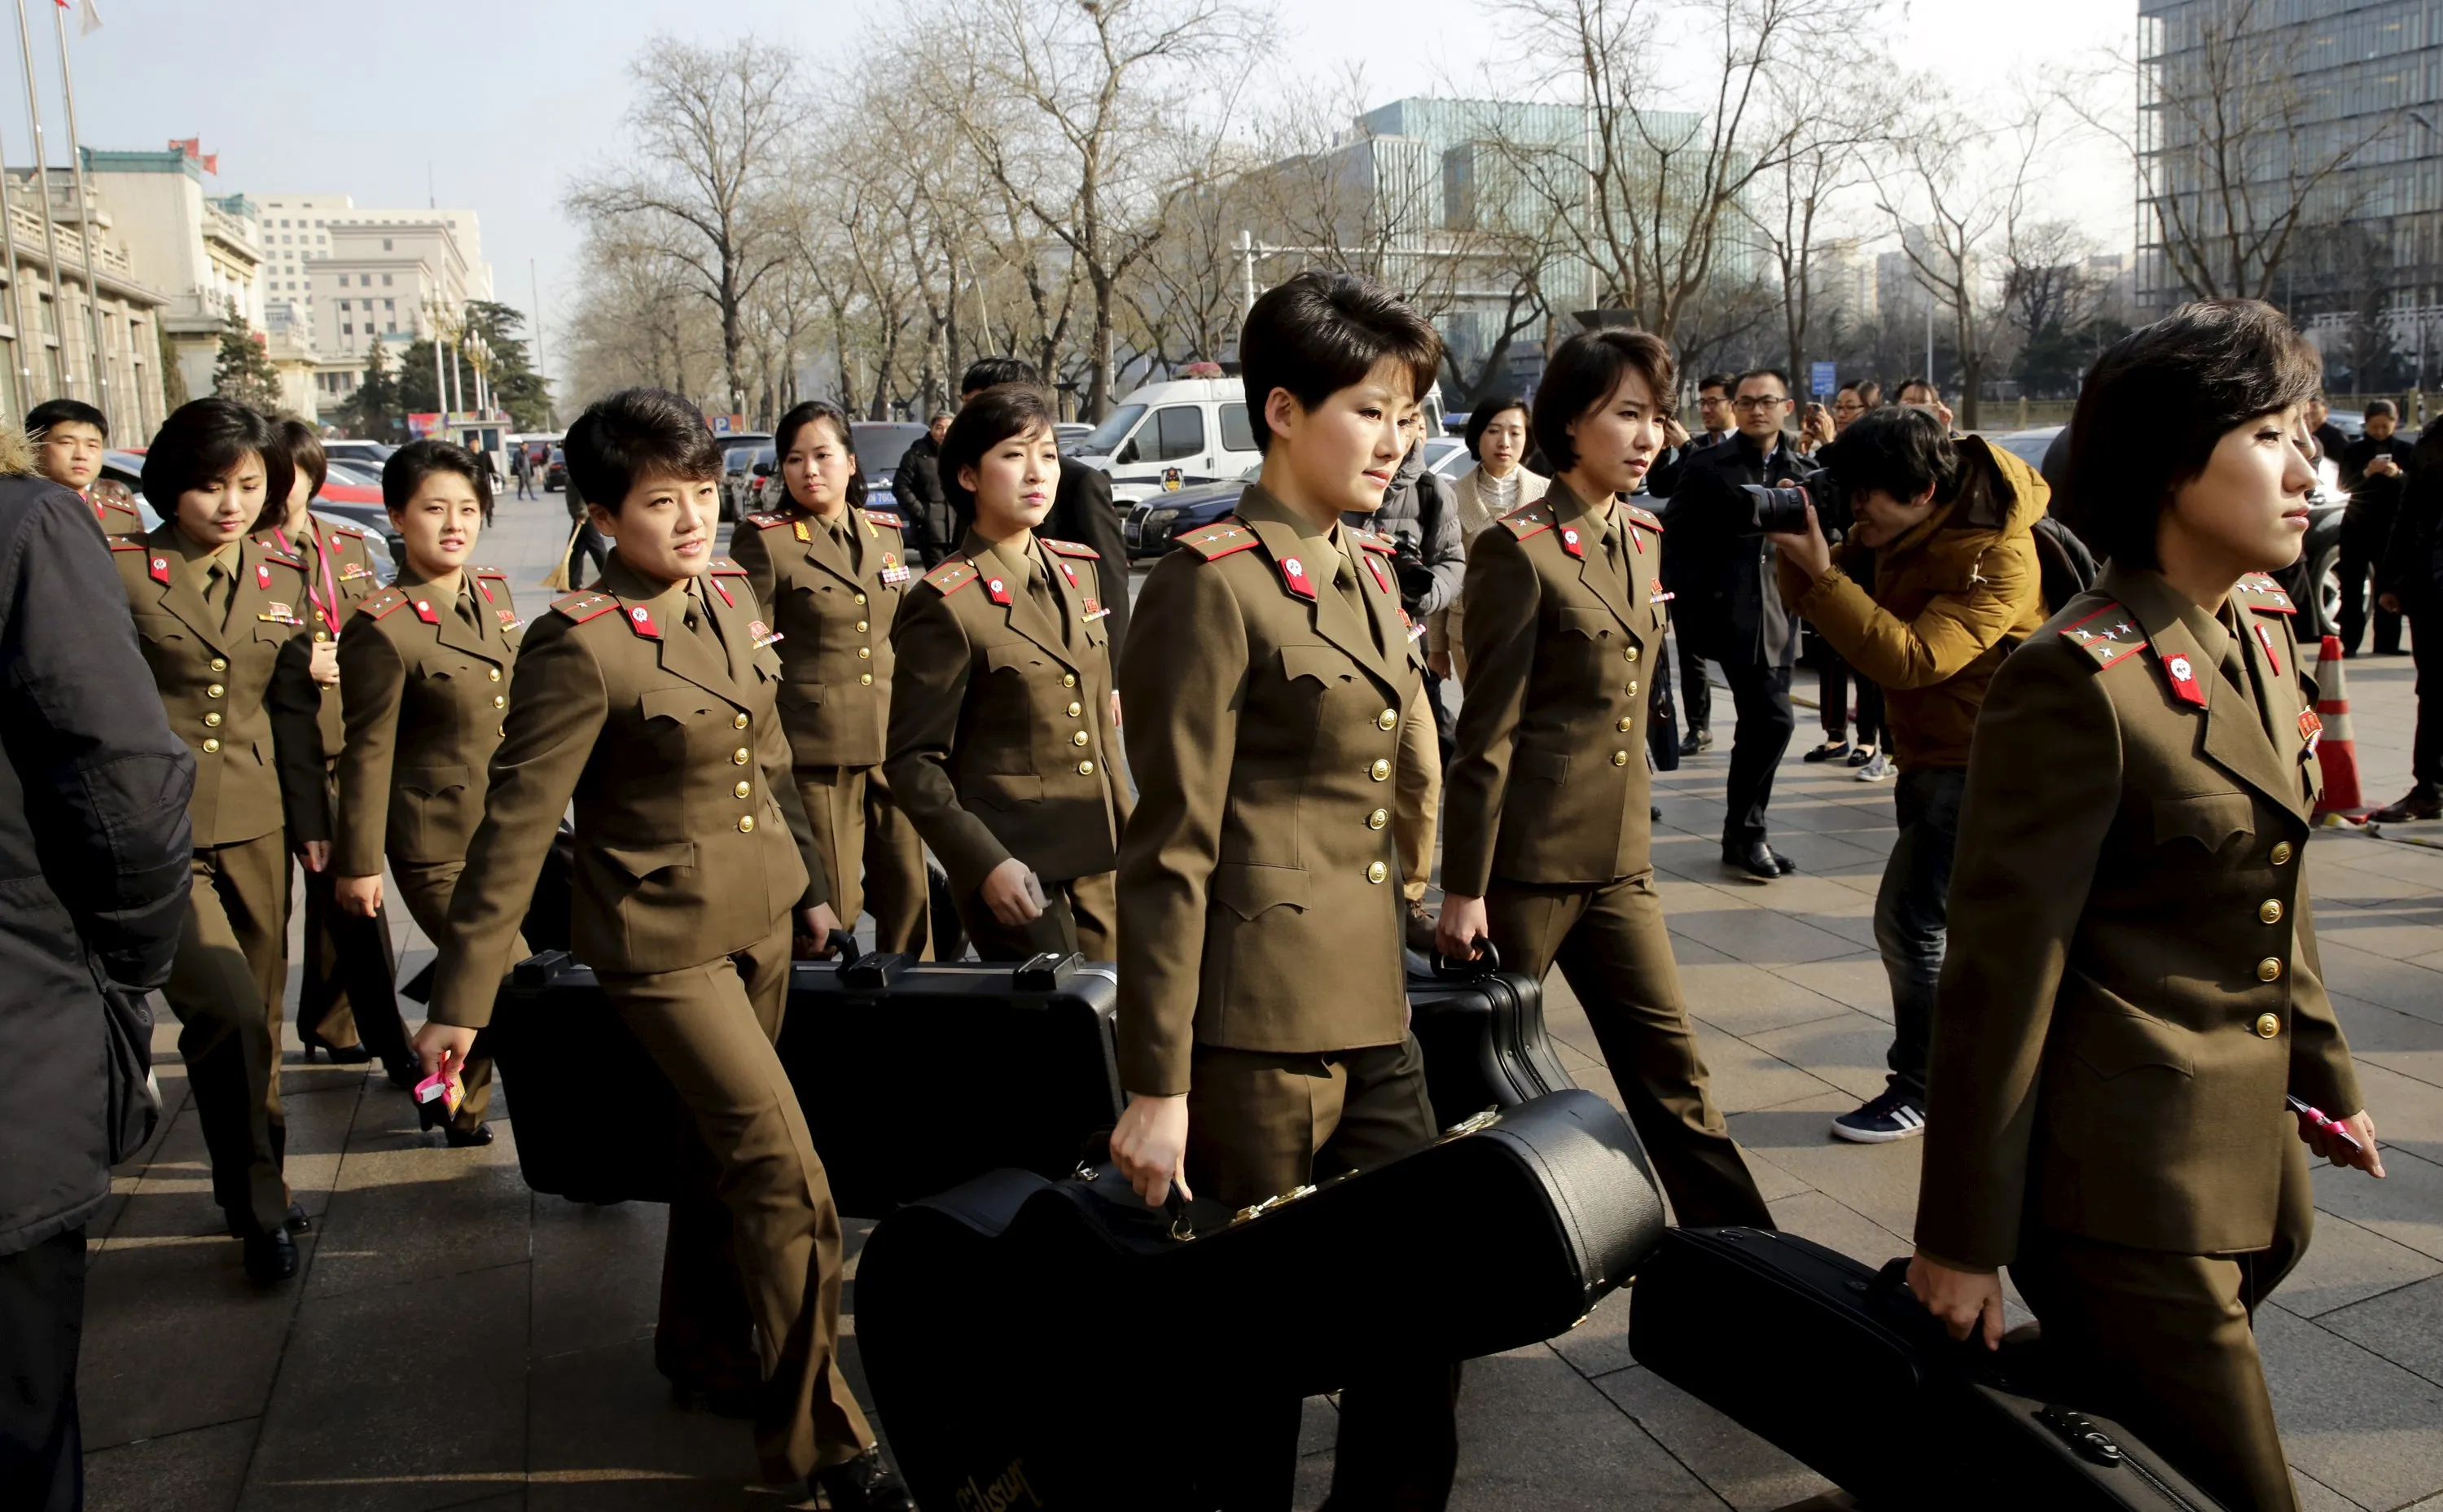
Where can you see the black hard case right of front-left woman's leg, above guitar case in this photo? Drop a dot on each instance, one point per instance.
(917, 1078)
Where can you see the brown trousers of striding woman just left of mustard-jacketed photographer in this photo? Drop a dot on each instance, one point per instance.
(1616, 956)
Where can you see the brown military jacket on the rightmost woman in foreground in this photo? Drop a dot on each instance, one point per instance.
(2132, 981)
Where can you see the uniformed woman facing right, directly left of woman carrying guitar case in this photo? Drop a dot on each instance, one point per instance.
(1003, 710)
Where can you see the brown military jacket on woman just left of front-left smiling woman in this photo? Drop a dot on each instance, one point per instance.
(426, 692)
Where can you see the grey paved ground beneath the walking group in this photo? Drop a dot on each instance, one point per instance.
(461, 1342)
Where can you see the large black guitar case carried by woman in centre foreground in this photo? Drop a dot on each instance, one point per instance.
(1000, 1323)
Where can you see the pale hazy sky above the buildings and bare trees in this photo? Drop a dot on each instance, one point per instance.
(509, 99)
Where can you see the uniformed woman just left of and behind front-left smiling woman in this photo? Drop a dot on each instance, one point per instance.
(424, 678)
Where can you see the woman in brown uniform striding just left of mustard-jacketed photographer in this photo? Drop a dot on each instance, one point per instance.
(1550, 839)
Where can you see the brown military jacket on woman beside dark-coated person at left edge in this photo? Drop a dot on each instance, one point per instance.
(238, 690)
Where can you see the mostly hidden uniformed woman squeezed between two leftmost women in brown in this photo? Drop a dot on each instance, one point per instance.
(348, 966)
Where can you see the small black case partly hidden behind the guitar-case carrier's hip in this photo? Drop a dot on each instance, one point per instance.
(1482, 1032)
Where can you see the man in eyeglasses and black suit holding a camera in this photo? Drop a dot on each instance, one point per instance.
(1728, 607)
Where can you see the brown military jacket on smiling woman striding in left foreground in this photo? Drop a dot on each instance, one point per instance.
(690, 837)
